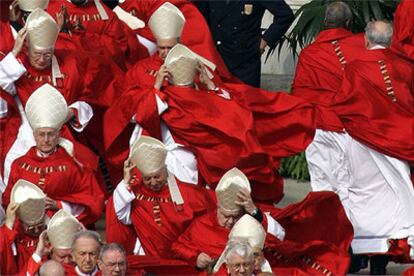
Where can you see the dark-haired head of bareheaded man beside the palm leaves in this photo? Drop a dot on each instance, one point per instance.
(337, 15)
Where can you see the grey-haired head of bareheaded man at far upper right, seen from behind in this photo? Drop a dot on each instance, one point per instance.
(379, 33)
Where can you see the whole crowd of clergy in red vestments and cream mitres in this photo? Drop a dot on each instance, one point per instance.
(128, 112)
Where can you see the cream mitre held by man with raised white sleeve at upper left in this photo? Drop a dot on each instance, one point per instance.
(42, 30)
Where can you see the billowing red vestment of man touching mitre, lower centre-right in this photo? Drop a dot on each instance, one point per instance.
(313, 243)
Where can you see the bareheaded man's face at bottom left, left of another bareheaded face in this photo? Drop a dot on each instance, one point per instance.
(85, 254)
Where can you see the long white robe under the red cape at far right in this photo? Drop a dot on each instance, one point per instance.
(375, 189)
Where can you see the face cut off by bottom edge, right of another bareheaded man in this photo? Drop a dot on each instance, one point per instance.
(113, 263)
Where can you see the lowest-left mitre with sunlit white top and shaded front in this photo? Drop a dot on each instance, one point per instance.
(31, 200)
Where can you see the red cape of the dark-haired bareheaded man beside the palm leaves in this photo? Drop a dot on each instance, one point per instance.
(320, 68)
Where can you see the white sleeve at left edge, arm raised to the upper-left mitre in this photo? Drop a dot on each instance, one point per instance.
(10, 71)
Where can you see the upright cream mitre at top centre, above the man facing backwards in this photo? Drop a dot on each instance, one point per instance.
(167, 22)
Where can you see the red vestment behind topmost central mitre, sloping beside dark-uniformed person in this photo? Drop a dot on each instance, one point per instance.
(196, 34)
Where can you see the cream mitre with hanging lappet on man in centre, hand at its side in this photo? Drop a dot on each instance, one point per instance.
(148, 155)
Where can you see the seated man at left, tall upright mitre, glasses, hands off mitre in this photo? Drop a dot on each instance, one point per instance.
(51, 164)
